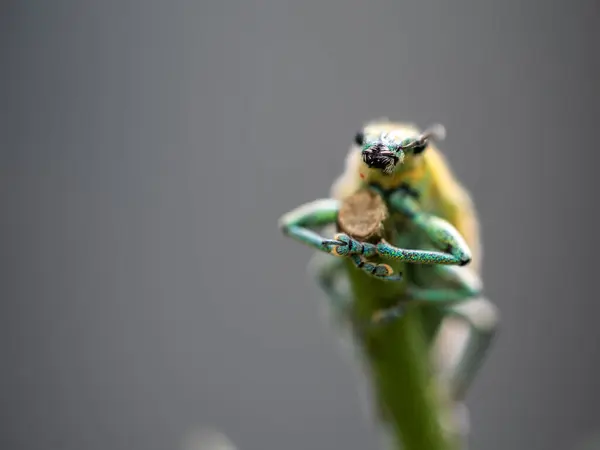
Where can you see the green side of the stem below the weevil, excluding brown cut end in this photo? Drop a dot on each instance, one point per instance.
(399, 363)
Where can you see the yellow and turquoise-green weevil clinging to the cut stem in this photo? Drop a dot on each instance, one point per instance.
(430, 260)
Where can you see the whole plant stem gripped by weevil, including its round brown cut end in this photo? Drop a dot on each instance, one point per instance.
(398, 353)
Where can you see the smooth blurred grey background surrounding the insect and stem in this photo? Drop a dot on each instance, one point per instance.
(148, 149)
